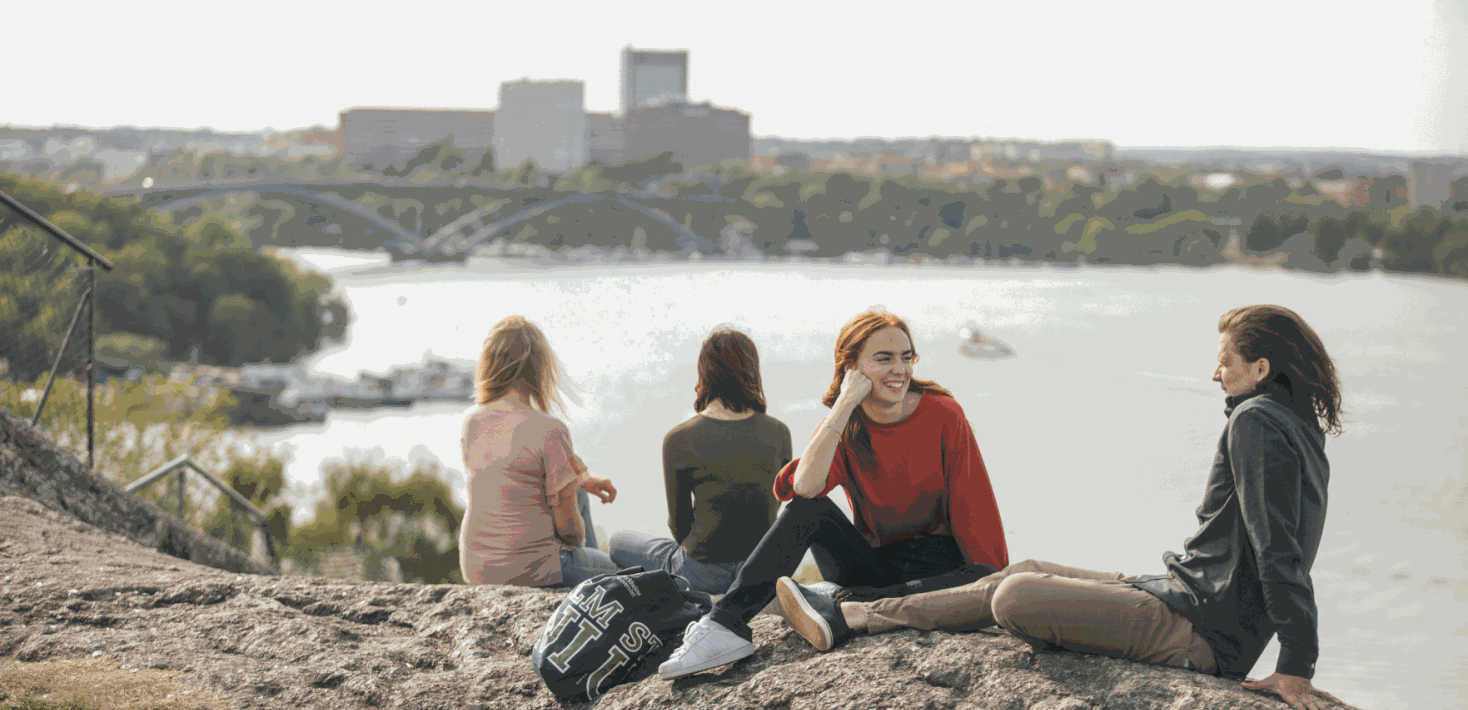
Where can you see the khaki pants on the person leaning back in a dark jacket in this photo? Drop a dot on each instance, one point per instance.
(1052, 605)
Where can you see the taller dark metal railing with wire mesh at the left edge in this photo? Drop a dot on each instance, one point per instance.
(37, 277)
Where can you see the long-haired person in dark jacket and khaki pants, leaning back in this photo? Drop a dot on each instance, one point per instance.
(1244, 576)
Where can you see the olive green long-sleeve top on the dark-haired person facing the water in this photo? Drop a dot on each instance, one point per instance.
(720, 482)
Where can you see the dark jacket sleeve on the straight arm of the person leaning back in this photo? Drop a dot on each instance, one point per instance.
(1268, 479)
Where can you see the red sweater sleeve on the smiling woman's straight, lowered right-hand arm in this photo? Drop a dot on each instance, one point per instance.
(974, 514)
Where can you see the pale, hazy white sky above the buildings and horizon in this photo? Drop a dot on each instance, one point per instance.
(1303, 74)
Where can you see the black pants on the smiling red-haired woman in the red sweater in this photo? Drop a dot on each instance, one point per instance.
(908, 567)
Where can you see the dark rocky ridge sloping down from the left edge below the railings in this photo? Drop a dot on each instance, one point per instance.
(32, 466)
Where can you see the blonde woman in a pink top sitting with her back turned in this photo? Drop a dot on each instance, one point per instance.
(528, 520)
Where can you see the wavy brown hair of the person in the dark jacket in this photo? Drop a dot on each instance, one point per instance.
(1298, 360)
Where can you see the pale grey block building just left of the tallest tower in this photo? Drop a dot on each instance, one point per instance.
(544, 121)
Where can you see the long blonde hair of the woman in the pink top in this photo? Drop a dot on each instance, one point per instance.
(517, 356)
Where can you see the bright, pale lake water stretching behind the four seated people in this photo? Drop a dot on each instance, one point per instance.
(1097, 436)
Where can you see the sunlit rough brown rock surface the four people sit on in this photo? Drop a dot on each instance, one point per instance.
(70, 589)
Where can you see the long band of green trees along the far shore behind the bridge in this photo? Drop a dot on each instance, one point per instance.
(1155, 218)
